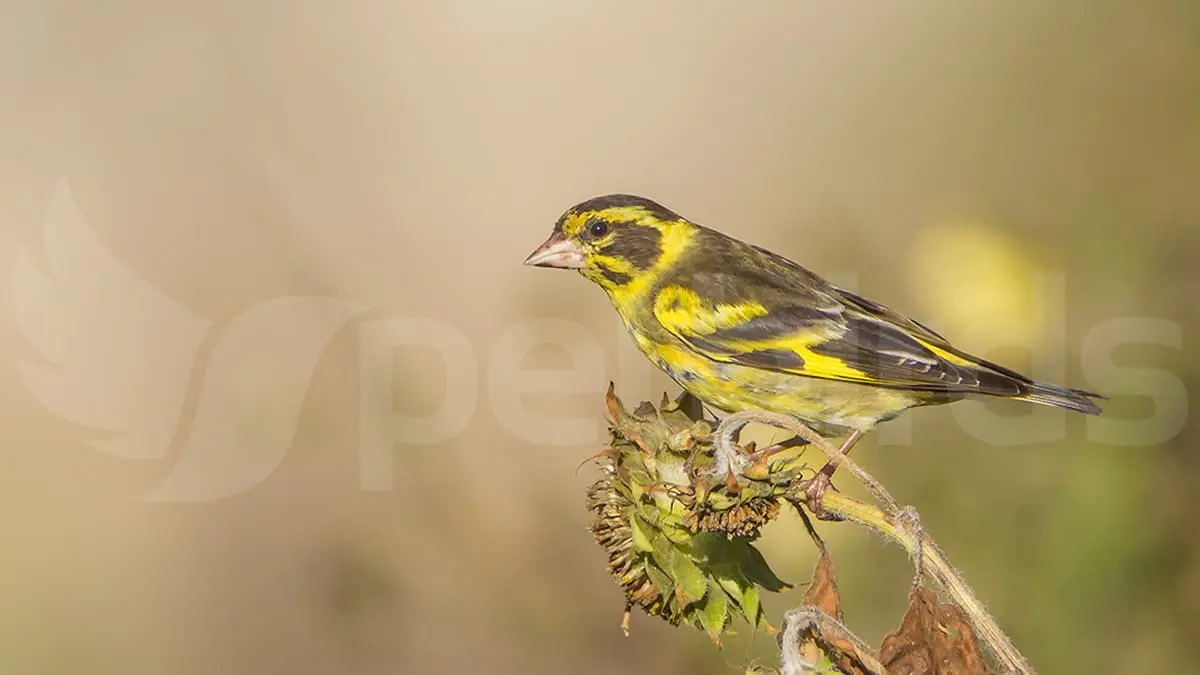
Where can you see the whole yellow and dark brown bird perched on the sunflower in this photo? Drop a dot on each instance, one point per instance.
(742, 328)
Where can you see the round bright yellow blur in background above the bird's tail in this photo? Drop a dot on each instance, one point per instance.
(965, 273)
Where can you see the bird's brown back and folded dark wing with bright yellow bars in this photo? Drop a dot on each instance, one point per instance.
(745, 306)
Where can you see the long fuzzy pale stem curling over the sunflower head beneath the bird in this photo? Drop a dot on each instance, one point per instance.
(901, 525)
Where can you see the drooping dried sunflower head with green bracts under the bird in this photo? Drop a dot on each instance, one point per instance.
(679, 546)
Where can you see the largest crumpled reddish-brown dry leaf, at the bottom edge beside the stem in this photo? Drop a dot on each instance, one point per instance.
(934, 638)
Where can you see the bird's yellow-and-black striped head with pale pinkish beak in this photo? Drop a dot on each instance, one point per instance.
(616, 241)
